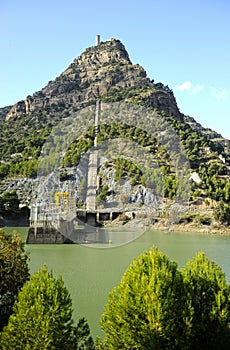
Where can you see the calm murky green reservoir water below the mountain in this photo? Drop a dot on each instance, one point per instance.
(89, 273)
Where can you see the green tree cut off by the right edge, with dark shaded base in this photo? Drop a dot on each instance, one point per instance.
(208, 298)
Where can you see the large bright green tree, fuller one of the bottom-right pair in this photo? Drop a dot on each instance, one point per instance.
(147, 308)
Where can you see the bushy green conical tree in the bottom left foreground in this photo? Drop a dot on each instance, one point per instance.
(42, 318)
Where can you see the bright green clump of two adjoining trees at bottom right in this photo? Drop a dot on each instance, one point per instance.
(157, 306)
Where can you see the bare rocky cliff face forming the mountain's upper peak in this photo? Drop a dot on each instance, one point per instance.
(92, 75)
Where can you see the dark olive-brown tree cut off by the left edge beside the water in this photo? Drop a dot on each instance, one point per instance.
(14, 272)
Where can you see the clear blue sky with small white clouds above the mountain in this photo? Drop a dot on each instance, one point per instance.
(184, 44)
